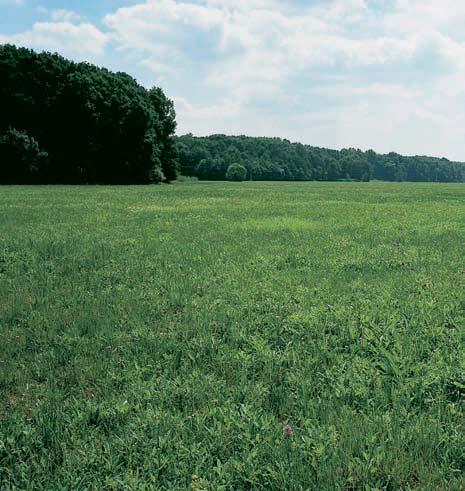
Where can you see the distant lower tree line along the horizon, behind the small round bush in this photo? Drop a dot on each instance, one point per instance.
(278, 159)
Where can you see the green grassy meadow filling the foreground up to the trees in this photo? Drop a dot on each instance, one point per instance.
(161, 337)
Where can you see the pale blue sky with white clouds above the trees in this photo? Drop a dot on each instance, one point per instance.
(381, 74)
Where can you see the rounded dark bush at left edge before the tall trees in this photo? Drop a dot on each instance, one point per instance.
(21, 158)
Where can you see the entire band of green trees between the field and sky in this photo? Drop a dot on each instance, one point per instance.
(67, 122)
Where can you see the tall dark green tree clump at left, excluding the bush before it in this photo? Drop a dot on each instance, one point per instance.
(96, 126)
